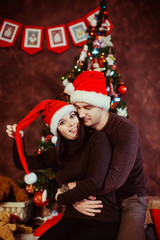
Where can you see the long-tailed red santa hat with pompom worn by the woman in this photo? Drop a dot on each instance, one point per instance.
(52, 111)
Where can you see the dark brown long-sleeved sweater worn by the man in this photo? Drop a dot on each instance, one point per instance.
(126, 172)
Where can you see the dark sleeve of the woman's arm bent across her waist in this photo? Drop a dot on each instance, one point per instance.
(99, 159)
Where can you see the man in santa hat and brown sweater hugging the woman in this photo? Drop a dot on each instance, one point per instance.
(126, 173)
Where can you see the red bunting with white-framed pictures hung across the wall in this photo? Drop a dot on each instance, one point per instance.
(56, 36)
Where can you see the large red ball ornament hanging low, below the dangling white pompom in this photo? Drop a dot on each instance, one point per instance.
(40, 198)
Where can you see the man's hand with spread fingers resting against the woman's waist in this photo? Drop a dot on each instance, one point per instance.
(89, 207)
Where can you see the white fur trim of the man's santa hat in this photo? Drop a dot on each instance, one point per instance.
(93, 98)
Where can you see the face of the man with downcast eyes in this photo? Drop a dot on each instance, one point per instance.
(91, 115)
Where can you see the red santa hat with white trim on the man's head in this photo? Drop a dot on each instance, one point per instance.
(89, 87)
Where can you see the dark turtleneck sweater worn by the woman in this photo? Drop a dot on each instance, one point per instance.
(88, 165)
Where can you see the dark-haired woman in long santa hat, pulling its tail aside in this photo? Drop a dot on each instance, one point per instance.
(81, 156)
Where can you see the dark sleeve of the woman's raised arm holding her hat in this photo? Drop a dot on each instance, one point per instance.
(46, 159)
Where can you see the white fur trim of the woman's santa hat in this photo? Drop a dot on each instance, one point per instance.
(58, 115)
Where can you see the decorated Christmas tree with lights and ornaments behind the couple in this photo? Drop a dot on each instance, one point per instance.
(96, 55)
